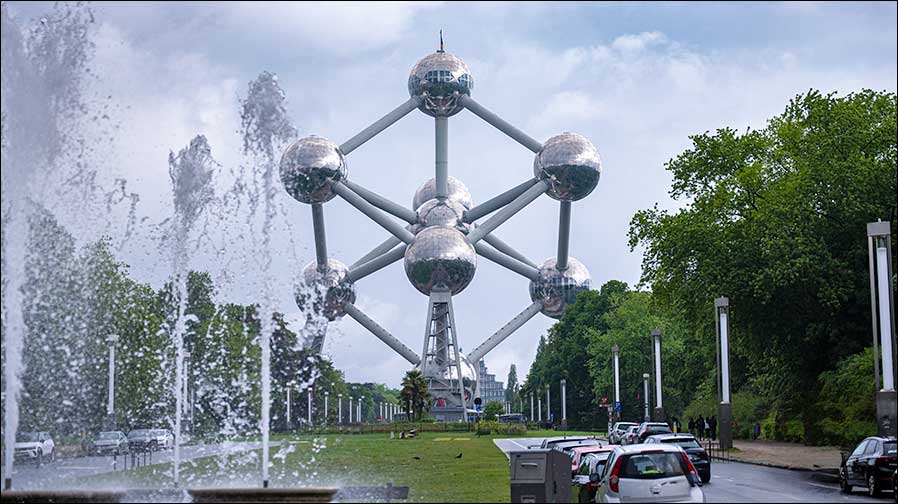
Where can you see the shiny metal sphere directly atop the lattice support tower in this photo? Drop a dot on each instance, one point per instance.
(441, 257)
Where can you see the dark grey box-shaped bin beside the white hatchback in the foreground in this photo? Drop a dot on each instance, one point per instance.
(540, 475)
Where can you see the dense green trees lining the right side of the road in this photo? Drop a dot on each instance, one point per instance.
(775, 219)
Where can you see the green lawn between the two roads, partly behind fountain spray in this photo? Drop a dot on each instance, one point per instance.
(436, 466)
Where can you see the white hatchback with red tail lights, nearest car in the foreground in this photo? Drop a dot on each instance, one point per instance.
(649, 473)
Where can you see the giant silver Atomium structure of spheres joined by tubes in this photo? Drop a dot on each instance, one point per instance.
(440, 237)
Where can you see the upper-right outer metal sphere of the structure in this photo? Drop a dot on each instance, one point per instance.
(571, 164)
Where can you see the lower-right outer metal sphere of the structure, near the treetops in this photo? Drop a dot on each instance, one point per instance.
(558, 289)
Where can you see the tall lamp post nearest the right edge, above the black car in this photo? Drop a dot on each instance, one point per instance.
(882, 304)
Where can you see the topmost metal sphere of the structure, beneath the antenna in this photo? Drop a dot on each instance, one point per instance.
(439, 79)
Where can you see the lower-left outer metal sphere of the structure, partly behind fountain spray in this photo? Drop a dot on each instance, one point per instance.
(325, 290)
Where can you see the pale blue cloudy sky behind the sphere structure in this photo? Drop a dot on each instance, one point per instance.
(637, 79)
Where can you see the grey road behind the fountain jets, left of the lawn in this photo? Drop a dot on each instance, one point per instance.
(27, 476)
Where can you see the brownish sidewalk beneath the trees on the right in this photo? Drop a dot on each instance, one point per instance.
(788, 455)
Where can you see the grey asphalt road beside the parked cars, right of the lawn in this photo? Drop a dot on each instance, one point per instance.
(737, 482)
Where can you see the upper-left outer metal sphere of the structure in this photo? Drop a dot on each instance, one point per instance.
(309, 166)
